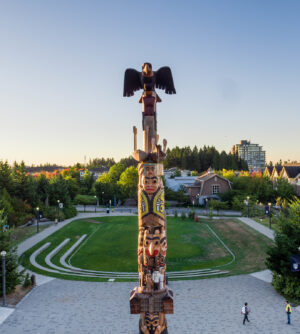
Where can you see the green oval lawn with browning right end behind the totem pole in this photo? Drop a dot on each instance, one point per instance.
(112, 245)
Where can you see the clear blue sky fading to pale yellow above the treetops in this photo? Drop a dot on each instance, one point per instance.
(235, 66)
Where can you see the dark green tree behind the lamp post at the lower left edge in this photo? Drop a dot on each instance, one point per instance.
(13, 277)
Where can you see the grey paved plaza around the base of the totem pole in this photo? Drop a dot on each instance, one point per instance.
(211, 306)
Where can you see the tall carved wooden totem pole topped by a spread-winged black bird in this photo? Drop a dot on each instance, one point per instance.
(152, 299)
